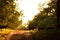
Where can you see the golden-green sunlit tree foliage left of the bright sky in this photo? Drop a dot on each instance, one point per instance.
(8, 14)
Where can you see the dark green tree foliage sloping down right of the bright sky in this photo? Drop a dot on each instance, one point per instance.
(47, 17)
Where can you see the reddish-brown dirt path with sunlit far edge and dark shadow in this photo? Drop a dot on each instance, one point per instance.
(19, 35)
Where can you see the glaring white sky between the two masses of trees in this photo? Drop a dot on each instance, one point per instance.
(30, 8)
